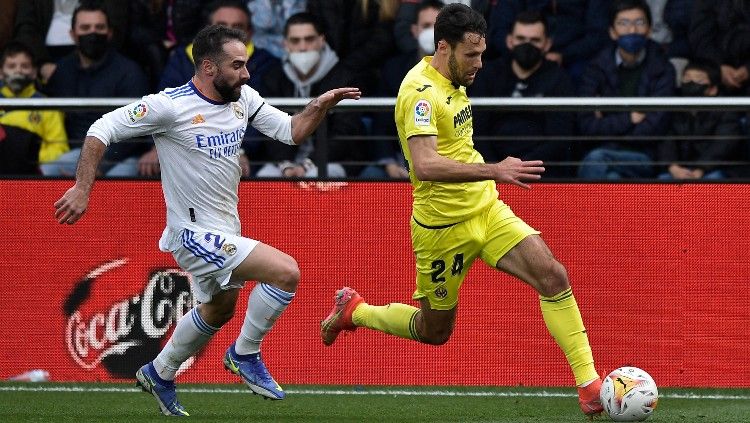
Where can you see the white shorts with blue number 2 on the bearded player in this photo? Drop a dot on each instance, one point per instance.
(210, 258)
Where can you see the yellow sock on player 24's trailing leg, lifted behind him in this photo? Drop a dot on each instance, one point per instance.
(395, 319)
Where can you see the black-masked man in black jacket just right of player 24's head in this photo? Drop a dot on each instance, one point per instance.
(525, 72)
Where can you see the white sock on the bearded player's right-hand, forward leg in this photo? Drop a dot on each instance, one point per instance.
(265, 305)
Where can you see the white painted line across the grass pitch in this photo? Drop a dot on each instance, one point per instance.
(394, 392)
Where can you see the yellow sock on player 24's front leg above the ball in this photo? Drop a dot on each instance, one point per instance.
(563, 320)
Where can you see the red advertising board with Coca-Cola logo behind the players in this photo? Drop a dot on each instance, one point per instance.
(661, 274)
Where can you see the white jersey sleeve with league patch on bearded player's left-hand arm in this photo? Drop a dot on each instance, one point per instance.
(147, 116)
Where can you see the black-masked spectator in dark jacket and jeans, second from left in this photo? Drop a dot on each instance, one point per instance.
(95, 70)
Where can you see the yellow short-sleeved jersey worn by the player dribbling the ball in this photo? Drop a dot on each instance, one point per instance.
(429, 104)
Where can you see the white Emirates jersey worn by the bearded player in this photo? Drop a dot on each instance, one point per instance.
(198, 142)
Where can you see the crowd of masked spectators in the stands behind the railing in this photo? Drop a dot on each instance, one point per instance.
(298, 48)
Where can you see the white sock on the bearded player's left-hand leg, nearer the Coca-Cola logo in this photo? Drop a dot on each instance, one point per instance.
(190, 335)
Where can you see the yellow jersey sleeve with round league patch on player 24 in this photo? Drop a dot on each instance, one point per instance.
(419, 115)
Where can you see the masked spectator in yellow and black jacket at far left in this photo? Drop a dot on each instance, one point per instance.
(27, 137)
